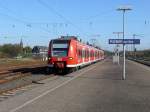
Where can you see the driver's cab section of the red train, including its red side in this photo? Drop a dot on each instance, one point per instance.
(61, 53)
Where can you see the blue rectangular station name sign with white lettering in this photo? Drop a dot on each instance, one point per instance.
(124, 41)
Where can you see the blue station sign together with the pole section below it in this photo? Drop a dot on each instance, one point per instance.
(124, 42)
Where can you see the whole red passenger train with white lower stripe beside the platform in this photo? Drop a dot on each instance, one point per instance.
(67, 53)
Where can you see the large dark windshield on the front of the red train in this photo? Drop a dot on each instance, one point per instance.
(60, 48)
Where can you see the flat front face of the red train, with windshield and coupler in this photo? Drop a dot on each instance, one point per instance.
(58, 55)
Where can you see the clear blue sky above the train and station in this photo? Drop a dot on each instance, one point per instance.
(39, 21)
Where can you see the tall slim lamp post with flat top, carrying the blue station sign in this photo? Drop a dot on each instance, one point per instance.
(124, 9)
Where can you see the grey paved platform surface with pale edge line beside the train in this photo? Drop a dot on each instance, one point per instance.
(96, 88)
